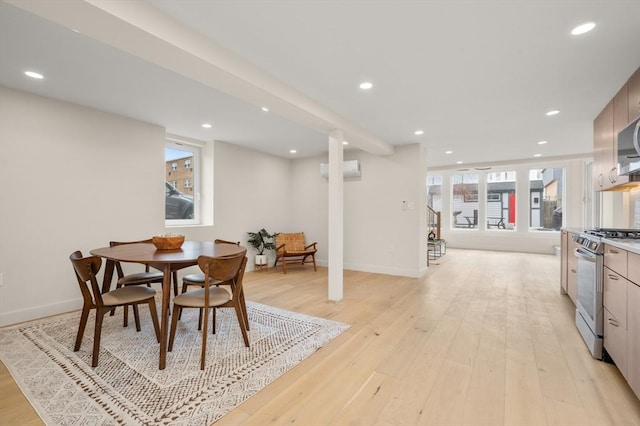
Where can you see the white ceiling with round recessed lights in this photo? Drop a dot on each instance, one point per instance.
(476, 76)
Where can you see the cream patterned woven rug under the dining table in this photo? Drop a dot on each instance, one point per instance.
(127, 388)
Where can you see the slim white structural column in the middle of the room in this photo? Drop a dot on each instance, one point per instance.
(336, 218)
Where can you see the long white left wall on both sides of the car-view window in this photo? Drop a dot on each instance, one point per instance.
(76, 178)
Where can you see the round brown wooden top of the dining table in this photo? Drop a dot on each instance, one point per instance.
(148, 254)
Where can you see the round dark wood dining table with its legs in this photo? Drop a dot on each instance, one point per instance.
(167, 261)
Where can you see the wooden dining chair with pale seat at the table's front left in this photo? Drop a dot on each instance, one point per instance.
(86, 269)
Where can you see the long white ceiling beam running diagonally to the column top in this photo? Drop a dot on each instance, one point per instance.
(142, 30)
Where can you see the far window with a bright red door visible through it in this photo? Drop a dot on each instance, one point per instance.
(501, 200)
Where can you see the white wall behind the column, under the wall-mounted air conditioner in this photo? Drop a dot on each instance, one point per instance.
(379, 236)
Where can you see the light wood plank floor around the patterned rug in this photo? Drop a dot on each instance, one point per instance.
(484, 339)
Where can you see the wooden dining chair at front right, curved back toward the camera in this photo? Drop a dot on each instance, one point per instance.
(225, 269)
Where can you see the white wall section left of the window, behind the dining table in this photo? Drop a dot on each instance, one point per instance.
(73, 179)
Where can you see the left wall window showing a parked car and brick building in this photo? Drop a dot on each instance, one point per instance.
(181, 184)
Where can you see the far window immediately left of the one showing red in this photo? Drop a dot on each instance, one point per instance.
(465, 200)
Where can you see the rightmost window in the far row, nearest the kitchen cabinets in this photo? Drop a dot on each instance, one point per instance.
(546, 187)
